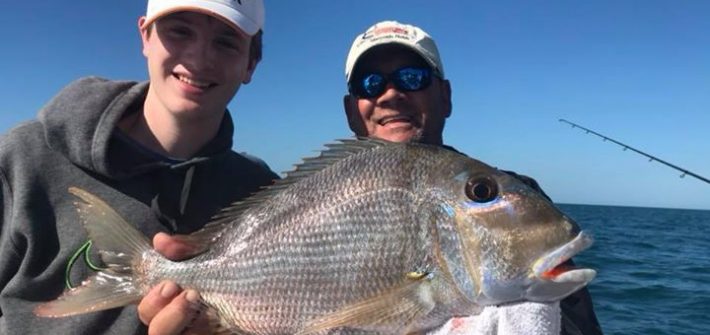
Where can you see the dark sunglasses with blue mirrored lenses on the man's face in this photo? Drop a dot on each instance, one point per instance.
(406, 79)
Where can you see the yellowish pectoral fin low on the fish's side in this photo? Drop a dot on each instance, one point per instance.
(391, 312)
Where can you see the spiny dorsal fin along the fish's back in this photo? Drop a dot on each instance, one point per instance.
(333, 153)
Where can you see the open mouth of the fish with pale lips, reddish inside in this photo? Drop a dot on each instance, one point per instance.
(551, 267)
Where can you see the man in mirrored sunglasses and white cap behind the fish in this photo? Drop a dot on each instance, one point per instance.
(397, 91)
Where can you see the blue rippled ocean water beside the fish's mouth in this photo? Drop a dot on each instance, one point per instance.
(653, 268)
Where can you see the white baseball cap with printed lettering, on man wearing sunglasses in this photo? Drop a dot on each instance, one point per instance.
(393, 32)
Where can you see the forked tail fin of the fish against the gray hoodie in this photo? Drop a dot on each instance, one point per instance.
(119, 244)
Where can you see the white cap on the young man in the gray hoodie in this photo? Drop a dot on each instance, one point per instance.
(247, 15)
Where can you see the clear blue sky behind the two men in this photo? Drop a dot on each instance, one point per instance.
(637, 71)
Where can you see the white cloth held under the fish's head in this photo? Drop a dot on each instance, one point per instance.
(525, 318)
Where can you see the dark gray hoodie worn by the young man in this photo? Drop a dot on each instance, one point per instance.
(75, 142)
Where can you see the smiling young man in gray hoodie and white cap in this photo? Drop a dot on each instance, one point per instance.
(159, 152)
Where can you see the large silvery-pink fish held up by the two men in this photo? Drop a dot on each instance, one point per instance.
(368, 237)
